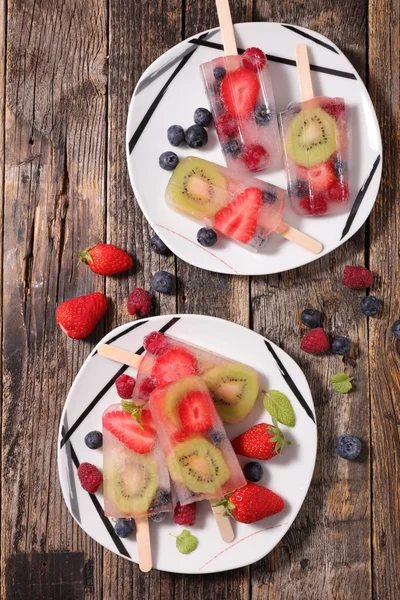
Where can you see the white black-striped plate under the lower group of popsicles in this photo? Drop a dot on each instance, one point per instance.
(288, 475)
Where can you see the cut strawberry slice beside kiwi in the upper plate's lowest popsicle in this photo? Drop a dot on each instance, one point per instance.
(238, 219)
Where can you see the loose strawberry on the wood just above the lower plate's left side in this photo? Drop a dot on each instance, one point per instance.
(79, 316)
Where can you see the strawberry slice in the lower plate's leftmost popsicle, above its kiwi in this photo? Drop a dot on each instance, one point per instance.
(128, 431)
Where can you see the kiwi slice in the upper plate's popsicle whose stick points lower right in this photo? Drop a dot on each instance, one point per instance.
(197, 188)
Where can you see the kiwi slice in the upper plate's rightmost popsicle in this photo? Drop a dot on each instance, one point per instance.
(311, 137)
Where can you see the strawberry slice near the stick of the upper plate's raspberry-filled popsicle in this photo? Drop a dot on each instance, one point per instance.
(239, 91)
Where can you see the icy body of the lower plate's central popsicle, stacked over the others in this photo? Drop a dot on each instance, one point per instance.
(200, 459)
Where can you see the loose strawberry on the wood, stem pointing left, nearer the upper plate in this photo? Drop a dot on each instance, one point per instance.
(106, 259)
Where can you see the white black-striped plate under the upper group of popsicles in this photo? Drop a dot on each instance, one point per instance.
(172, 88)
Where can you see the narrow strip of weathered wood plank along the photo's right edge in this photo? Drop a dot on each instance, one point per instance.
(384, 85)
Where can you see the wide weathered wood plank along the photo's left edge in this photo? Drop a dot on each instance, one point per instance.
(54, 205)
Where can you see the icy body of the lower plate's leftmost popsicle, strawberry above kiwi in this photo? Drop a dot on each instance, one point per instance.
(136, 481)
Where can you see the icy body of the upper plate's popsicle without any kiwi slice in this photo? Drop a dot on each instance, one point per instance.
(242, 103)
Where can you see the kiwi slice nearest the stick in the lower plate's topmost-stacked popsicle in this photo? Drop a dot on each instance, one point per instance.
(198, 465)
